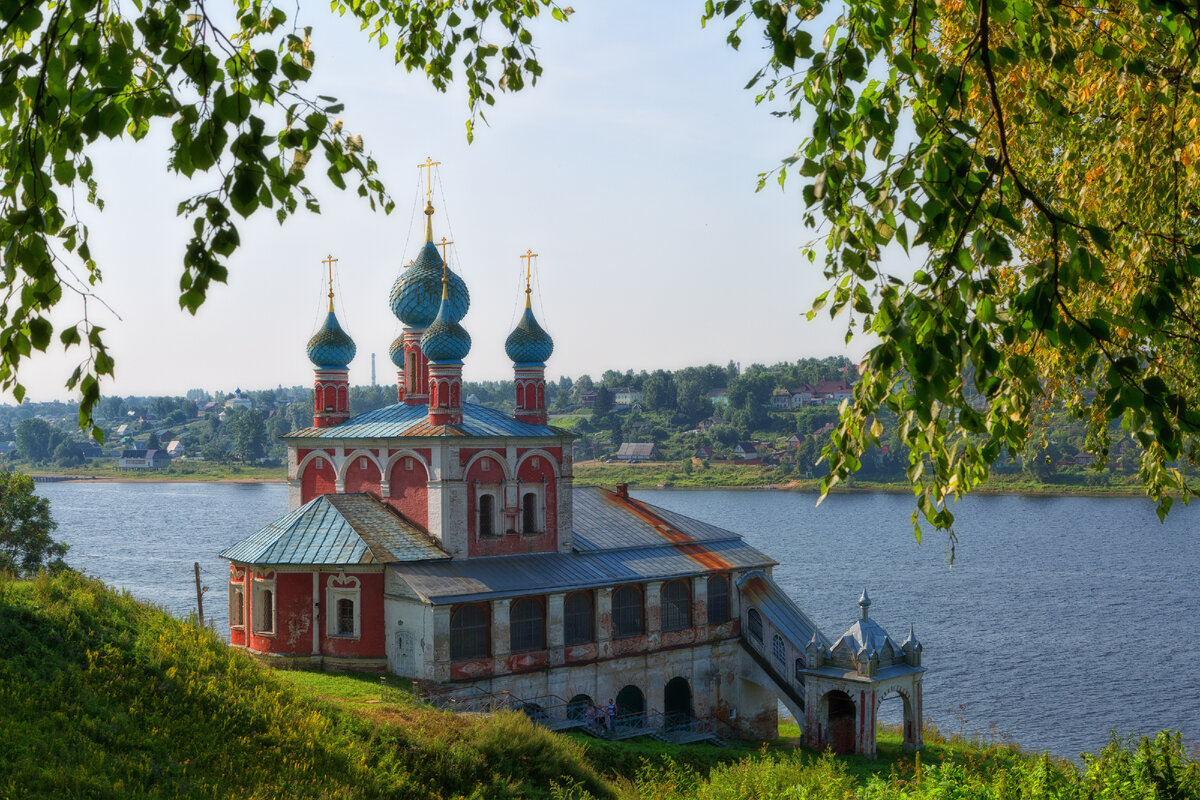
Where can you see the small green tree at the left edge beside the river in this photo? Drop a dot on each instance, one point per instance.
(26, 528)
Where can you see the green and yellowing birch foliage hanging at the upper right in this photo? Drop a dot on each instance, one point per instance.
(1036, 159)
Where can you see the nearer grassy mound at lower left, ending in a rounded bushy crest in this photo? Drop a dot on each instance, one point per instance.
(104, 697)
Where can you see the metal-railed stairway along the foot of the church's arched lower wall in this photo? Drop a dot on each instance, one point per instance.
(556, 714)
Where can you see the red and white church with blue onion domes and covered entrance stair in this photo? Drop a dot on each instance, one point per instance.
(445, 543)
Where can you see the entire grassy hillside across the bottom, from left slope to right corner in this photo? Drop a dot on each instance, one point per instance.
(104, 697)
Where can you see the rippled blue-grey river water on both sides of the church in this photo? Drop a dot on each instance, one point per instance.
(1061, 618)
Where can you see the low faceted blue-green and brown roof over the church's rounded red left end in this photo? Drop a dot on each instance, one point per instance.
(338, 531)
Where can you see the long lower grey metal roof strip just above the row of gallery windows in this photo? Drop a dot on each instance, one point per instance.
(454, 582)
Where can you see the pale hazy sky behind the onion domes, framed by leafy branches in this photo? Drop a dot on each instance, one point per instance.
(629, 169)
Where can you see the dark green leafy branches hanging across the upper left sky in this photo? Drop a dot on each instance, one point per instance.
(231, 87)
